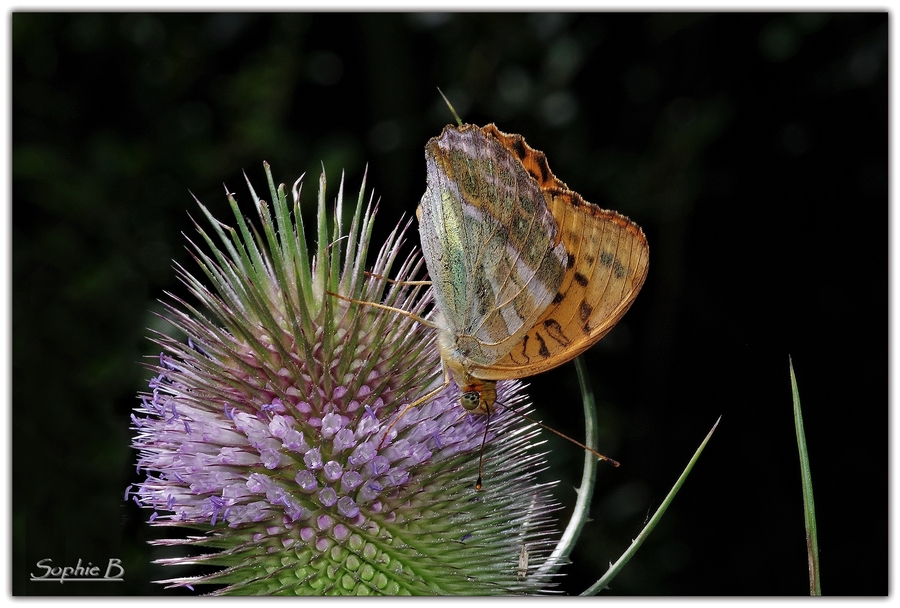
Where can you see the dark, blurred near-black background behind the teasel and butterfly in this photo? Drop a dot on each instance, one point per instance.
(752, 149)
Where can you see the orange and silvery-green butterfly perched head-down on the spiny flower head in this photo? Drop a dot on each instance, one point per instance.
(526, 274)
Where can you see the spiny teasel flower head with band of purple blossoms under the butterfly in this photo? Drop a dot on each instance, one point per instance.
(265, 429)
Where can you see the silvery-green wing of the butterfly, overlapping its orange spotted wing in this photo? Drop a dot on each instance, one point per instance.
(490, 242)
